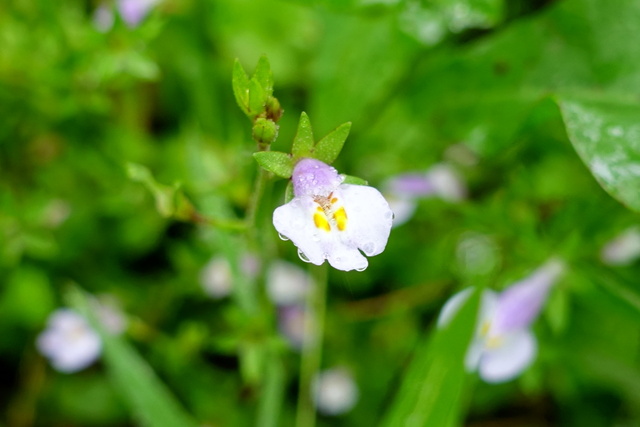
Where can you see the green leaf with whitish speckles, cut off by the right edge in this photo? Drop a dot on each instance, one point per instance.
(606, 135)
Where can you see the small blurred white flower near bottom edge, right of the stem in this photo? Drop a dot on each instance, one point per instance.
(334, 391)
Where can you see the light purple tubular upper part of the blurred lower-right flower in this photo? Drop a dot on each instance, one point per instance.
(520, 304)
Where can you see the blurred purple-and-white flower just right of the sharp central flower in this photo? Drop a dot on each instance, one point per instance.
(403, 191)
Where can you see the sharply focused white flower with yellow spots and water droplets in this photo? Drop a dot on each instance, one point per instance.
(334, 221)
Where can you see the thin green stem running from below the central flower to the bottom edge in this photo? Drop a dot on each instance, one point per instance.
(312, 346)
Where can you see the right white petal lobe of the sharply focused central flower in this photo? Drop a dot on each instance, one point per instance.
(369, 218)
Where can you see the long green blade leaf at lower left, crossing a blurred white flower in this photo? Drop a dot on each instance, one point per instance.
(150, 400)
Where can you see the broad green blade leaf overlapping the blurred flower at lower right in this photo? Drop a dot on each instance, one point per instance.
(431, 390)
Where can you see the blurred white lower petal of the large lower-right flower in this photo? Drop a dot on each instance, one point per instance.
(507, 361)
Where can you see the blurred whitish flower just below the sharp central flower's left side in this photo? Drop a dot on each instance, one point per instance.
(287, 283)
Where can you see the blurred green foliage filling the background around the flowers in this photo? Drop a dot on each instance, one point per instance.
(535, 102)
